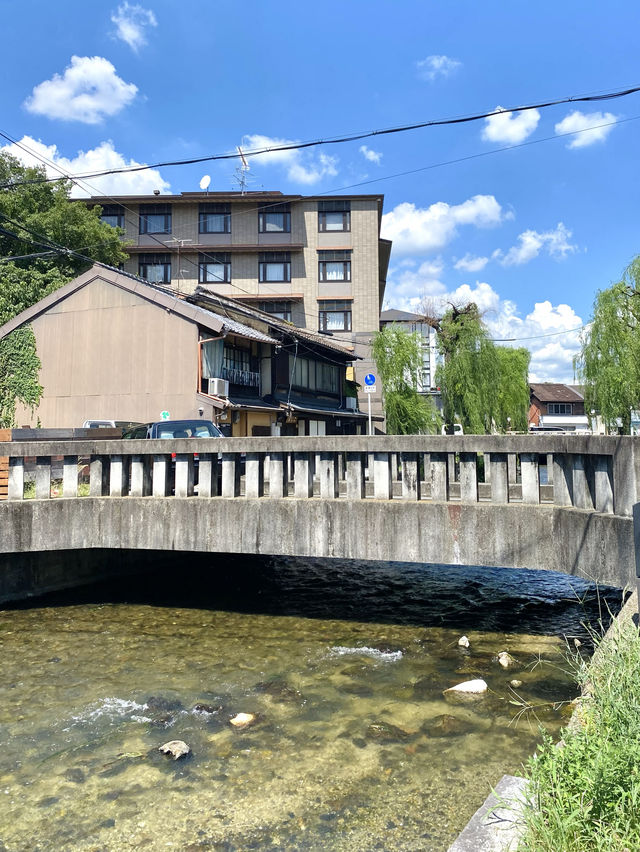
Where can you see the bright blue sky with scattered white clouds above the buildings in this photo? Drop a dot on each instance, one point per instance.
(531, 232)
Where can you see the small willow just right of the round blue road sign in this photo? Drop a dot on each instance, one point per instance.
(398, 355)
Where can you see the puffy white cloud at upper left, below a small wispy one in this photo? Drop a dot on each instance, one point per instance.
(88, 91)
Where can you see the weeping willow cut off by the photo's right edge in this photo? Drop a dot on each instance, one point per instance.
(609, 361)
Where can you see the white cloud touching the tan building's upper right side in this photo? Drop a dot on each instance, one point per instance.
(421, 230)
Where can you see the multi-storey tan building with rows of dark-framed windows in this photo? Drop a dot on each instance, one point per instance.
(315, 261)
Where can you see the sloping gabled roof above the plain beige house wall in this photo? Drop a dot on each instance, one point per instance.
(161, 296)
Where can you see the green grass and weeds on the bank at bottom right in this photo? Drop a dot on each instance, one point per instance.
(585, 791)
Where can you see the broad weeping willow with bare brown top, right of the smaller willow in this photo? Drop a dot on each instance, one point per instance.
(484, 387)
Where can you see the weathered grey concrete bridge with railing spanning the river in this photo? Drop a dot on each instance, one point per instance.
(558, 502)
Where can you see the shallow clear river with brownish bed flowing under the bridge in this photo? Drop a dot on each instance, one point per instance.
(353, 745)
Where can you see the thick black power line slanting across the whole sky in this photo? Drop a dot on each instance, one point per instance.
(355, 137)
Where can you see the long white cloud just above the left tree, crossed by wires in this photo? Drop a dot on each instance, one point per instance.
(104, 156)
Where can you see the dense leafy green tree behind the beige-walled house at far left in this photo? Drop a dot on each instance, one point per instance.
(39, 224)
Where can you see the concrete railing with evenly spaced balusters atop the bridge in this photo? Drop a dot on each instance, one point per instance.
(593, 473)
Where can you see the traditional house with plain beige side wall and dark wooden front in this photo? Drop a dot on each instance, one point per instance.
(113, 346)
